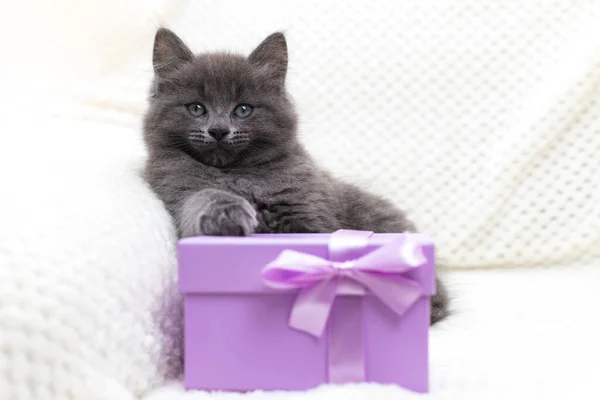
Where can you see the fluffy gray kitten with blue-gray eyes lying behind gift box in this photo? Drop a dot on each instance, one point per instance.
(225, 159)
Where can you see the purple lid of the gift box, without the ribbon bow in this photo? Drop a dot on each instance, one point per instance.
(221, 265)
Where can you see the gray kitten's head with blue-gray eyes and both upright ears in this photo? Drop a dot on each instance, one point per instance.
(222, 109)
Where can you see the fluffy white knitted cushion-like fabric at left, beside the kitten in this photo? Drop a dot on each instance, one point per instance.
(87, 267)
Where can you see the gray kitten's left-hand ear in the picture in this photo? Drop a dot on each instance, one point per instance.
(169, 52)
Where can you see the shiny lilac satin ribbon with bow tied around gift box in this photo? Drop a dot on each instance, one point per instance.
(320, 280)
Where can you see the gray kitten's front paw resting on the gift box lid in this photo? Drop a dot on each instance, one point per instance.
(223, 215)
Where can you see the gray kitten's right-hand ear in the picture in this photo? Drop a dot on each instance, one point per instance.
(271, 58)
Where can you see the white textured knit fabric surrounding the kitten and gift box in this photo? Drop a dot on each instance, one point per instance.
(478, 117)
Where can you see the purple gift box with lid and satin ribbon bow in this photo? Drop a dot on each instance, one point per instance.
(293, 311)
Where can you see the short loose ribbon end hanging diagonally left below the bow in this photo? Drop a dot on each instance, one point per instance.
(312, 307)
